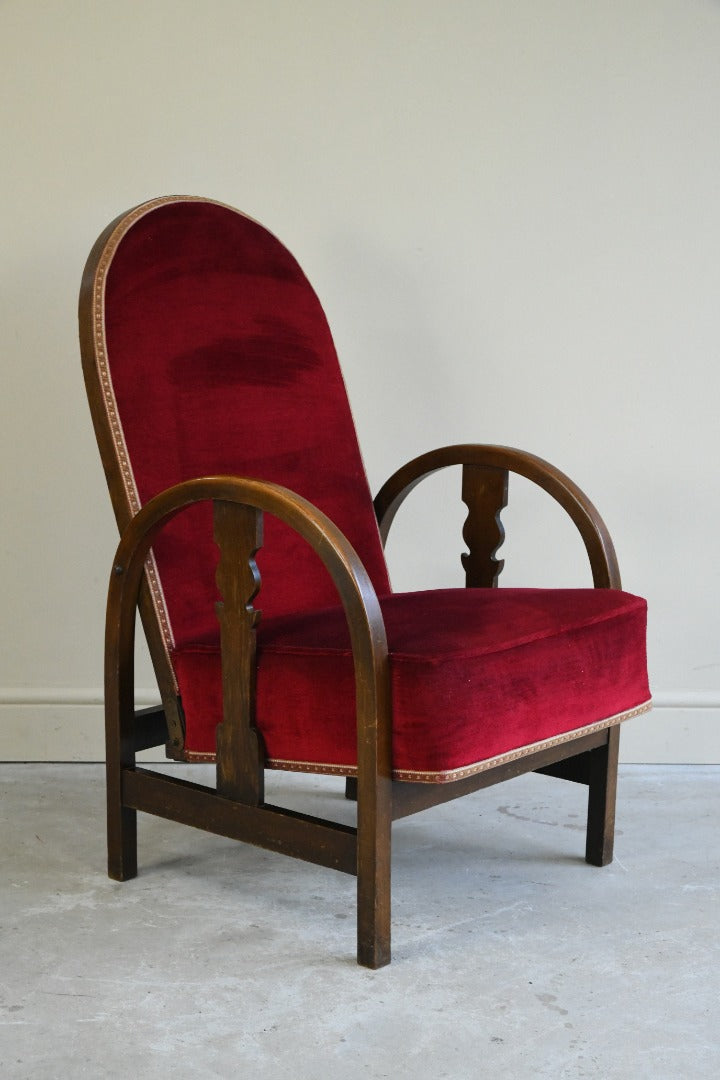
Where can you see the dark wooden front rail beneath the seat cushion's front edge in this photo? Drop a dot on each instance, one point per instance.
(410, 799)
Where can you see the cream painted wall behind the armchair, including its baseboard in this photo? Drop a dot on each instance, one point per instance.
(511, 212)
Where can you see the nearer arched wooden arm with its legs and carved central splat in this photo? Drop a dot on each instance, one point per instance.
(239, 505)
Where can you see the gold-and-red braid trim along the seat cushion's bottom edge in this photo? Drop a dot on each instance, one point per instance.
(447, 777)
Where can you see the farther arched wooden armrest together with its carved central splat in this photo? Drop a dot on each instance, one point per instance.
(485, 487)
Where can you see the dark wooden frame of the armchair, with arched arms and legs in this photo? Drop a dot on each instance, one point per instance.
(237, 807)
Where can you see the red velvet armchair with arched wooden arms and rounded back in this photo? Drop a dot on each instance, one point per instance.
(225, 433)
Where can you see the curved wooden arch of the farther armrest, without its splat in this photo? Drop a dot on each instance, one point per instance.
(593, 530)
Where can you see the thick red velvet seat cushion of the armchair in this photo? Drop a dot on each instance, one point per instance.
(477, 674)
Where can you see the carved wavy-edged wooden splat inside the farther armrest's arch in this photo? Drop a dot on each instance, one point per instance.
(485, 494)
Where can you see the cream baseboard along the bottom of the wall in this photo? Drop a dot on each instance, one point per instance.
(49, 724)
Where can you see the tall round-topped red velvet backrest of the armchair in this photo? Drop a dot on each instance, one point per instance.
(220, 361)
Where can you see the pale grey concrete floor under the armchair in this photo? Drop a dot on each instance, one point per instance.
(512, 958)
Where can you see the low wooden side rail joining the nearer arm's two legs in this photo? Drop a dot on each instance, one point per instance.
(314, 840)
